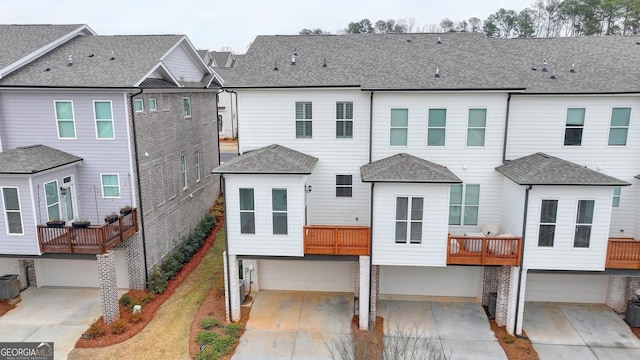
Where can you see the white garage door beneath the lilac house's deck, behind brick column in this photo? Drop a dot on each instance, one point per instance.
(78, 273)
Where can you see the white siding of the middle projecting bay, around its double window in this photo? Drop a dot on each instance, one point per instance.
(432, 251)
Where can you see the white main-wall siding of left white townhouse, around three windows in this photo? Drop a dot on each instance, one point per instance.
(268, 117)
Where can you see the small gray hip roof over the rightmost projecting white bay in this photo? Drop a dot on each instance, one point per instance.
(543, 169)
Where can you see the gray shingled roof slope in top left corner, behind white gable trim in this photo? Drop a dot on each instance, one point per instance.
(19, 41)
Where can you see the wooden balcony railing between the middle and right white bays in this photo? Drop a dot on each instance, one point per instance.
(474, 250)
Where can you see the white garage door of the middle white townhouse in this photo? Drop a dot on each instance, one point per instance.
(458, 281)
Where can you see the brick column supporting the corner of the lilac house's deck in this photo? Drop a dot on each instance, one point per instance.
(108, 286)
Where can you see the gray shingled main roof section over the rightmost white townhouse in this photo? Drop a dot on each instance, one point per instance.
(601, 63)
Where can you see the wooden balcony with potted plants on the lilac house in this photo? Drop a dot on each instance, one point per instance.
(95, 239)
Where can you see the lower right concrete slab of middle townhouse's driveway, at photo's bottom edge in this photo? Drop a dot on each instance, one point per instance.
(473, 350)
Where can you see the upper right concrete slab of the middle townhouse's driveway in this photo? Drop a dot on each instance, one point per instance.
(463, 320)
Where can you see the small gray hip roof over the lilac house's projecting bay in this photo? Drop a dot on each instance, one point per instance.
(34, 159)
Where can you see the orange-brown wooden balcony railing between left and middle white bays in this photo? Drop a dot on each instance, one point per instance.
(337, 240)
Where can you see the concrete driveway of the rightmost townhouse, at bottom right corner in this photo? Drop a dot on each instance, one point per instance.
(579, 331)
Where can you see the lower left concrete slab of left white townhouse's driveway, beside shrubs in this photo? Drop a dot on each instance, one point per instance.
(265, 344)
